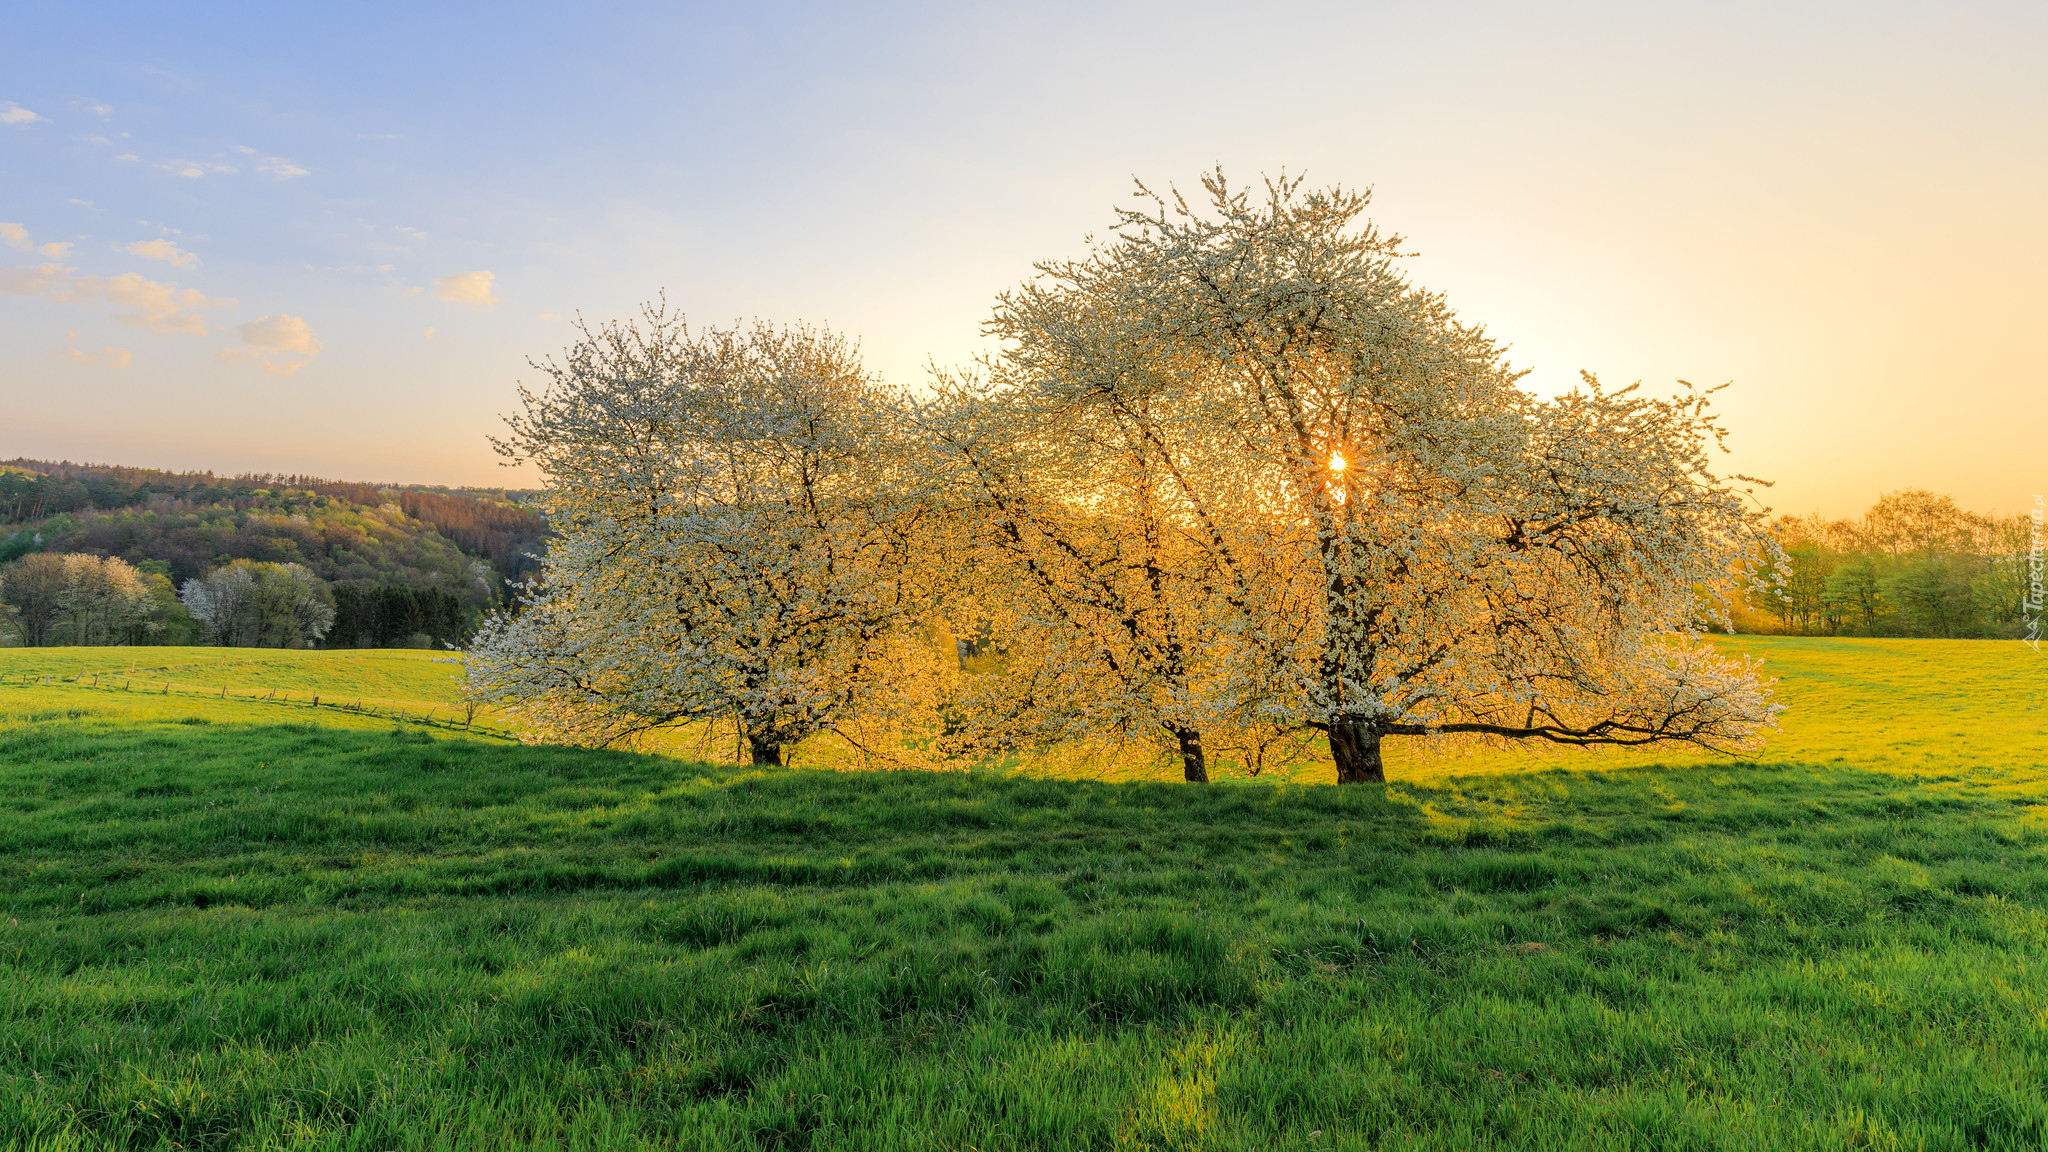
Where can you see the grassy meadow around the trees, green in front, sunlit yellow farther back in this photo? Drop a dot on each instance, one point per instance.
(241, 923)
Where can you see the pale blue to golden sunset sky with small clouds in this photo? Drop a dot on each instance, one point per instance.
(331, 239)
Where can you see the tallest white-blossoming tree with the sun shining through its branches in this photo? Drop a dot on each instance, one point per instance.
(1471, 559)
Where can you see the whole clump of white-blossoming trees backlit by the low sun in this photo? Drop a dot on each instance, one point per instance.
(1230, 479)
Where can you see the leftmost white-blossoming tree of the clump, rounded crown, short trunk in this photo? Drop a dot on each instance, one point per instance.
(740, 538)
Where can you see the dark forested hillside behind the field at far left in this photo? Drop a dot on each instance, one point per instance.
(394, 565)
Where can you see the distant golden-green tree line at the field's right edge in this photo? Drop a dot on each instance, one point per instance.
(1914, 565)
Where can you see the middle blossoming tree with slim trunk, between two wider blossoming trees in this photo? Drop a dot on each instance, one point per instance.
(1080, 563)
